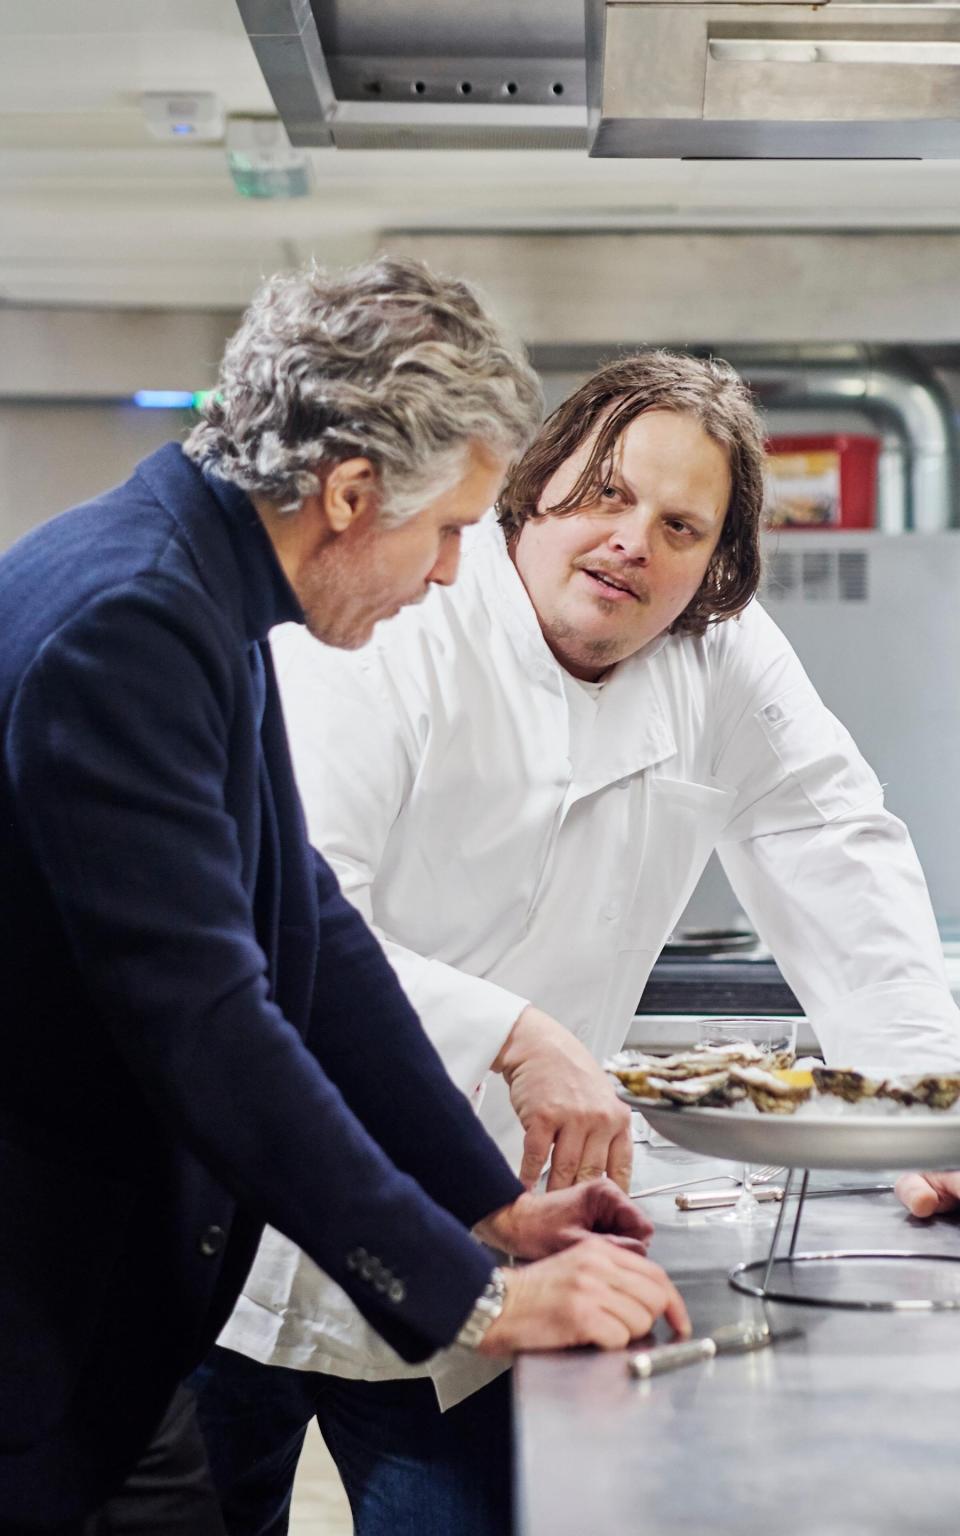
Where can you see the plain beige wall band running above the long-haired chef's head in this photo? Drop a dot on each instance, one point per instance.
(710, 288)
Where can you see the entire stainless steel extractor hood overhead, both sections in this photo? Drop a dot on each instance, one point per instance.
(842, 79)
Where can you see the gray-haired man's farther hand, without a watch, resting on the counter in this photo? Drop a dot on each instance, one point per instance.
(535, 1226)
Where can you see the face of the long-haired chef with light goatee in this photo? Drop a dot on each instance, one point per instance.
(611, 577)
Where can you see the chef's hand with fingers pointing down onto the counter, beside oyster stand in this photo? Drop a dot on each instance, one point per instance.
(564, 1102)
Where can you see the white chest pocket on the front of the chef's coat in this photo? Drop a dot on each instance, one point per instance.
(683, 824)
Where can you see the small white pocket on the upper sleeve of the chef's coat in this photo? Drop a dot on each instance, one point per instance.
(818, 752)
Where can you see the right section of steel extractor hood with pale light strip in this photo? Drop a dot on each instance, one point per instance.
(846, 79)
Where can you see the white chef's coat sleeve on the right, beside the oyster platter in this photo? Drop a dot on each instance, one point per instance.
(826, 873)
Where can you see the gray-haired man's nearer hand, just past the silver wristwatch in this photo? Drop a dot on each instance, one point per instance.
(592, 1294)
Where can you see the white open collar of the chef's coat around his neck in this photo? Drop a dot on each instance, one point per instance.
(632, 730)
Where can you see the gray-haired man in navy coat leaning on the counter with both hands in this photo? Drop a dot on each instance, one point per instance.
(210, 1038)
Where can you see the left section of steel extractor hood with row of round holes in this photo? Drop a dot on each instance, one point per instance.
(425, 74)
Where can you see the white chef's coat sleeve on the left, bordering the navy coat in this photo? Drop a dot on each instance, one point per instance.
(356, 749)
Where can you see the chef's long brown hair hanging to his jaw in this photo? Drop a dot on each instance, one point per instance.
(706, 389)
